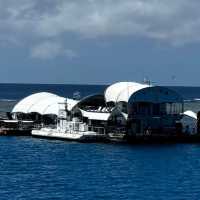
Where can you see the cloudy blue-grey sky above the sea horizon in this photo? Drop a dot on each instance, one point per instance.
(100, 41)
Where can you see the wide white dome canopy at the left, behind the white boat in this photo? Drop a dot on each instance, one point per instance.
(43, 103)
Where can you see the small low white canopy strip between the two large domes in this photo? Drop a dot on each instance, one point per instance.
(96, 115)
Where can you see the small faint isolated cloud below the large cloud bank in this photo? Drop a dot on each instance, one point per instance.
(50, 50)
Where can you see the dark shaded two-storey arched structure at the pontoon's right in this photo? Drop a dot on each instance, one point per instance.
(154, 110)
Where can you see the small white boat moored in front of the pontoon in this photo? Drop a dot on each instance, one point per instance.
(70, 130)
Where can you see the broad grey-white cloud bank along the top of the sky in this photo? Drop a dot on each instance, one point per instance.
(176, 21)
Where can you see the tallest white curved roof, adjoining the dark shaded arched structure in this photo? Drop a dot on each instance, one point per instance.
(122, 91)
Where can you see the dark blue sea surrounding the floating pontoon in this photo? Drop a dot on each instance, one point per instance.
(48, 169)
